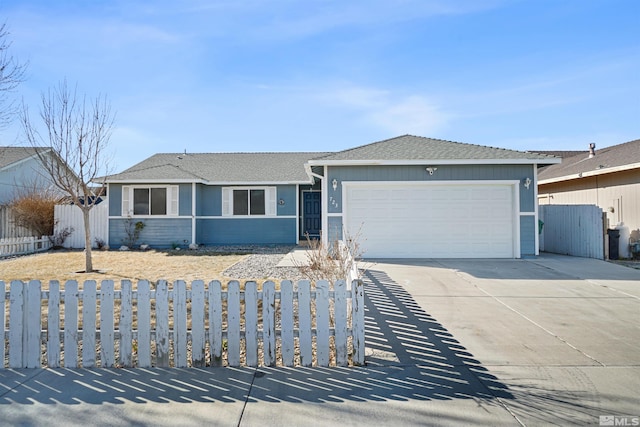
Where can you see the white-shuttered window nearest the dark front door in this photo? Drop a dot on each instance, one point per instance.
(249, 201)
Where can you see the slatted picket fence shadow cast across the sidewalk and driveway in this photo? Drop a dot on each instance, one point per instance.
(410, 357)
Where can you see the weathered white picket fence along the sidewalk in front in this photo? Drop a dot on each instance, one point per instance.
(184, 326)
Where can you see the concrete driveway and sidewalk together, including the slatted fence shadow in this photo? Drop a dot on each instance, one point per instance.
(548, 341)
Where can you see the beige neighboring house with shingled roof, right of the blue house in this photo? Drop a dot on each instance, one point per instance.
(607, 177)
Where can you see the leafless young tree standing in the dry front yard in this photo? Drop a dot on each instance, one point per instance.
(77, 133)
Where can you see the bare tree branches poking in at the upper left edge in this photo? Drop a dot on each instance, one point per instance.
(11, 75)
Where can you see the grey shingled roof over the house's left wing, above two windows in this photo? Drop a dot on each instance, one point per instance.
(221, 168)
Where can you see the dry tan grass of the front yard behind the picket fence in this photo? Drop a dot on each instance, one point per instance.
(151, 265)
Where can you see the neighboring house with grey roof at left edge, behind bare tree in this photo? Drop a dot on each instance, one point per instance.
(20, 170)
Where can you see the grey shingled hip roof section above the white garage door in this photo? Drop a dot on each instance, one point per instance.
(408, 149)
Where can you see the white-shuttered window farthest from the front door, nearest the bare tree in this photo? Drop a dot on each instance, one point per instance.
(150, 200)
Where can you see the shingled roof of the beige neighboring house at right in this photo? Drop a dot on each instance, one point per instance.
(606, 160)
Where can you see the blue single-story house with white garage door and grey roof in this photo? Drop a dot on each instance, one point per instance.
(407, 197)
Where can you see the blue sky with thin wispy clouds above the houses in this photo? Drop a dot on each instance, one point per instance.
(284, 75)
